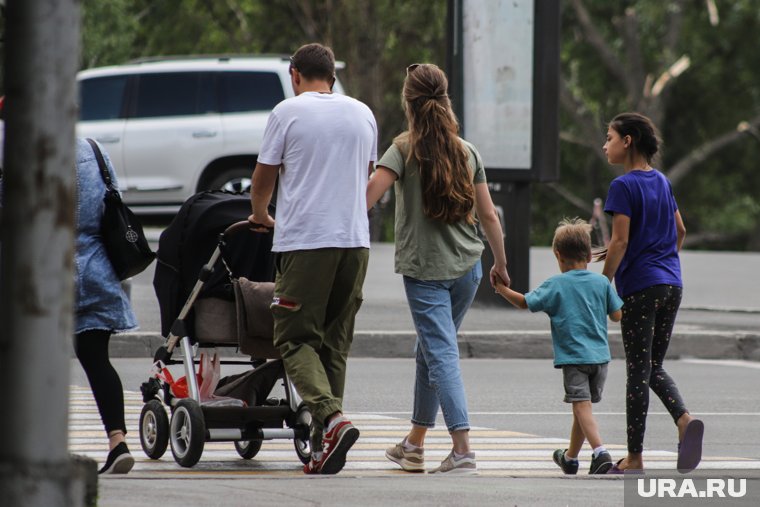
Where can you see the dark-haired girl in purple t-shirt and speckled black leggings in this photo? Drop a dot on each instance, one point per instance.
(647, 234)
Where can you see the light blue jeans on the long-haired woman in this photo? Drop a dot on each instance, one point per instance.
(438, 308)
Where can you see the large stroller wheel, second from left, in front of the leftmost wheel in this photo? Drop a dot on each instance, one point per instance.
(187, 432)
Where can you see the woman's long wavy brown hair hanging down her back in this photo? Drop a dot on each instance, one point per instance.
(447, 190)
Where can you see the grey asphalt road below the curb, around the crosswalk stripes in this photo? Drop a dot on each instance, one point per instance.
(515, 395)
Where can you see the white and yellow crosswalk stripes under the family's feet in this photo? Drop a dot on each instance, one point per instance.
(499, 452)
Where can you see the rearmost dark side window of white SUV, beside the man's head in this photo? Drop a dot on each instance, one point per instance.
(250, 91)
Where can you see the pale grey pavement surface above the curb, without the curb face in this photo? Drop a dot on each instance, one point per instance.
(720, 293)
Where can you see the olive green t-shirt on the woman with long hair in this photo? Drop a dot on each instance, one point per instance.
(428, 249)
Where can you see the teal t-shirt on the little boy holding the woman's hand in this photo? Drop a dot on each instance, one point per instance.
(577, 303)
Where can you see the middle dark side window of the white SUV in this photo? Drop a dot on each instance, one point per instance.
(174, 94)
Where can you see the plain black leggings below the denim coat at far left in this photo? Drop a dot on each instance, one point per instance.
(91, 348)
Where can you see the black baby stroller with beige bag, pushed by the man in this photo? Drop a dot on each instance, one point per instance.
(212, 304)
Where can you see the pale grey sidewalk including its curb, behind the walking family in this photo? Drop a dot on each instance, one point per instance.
(719, 316)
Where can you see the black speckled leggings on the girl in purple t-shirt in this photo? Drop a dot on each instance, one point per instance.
(648, 319)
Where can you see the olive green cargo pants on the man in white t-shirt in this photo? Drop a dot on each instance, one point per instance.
(316, 297)
